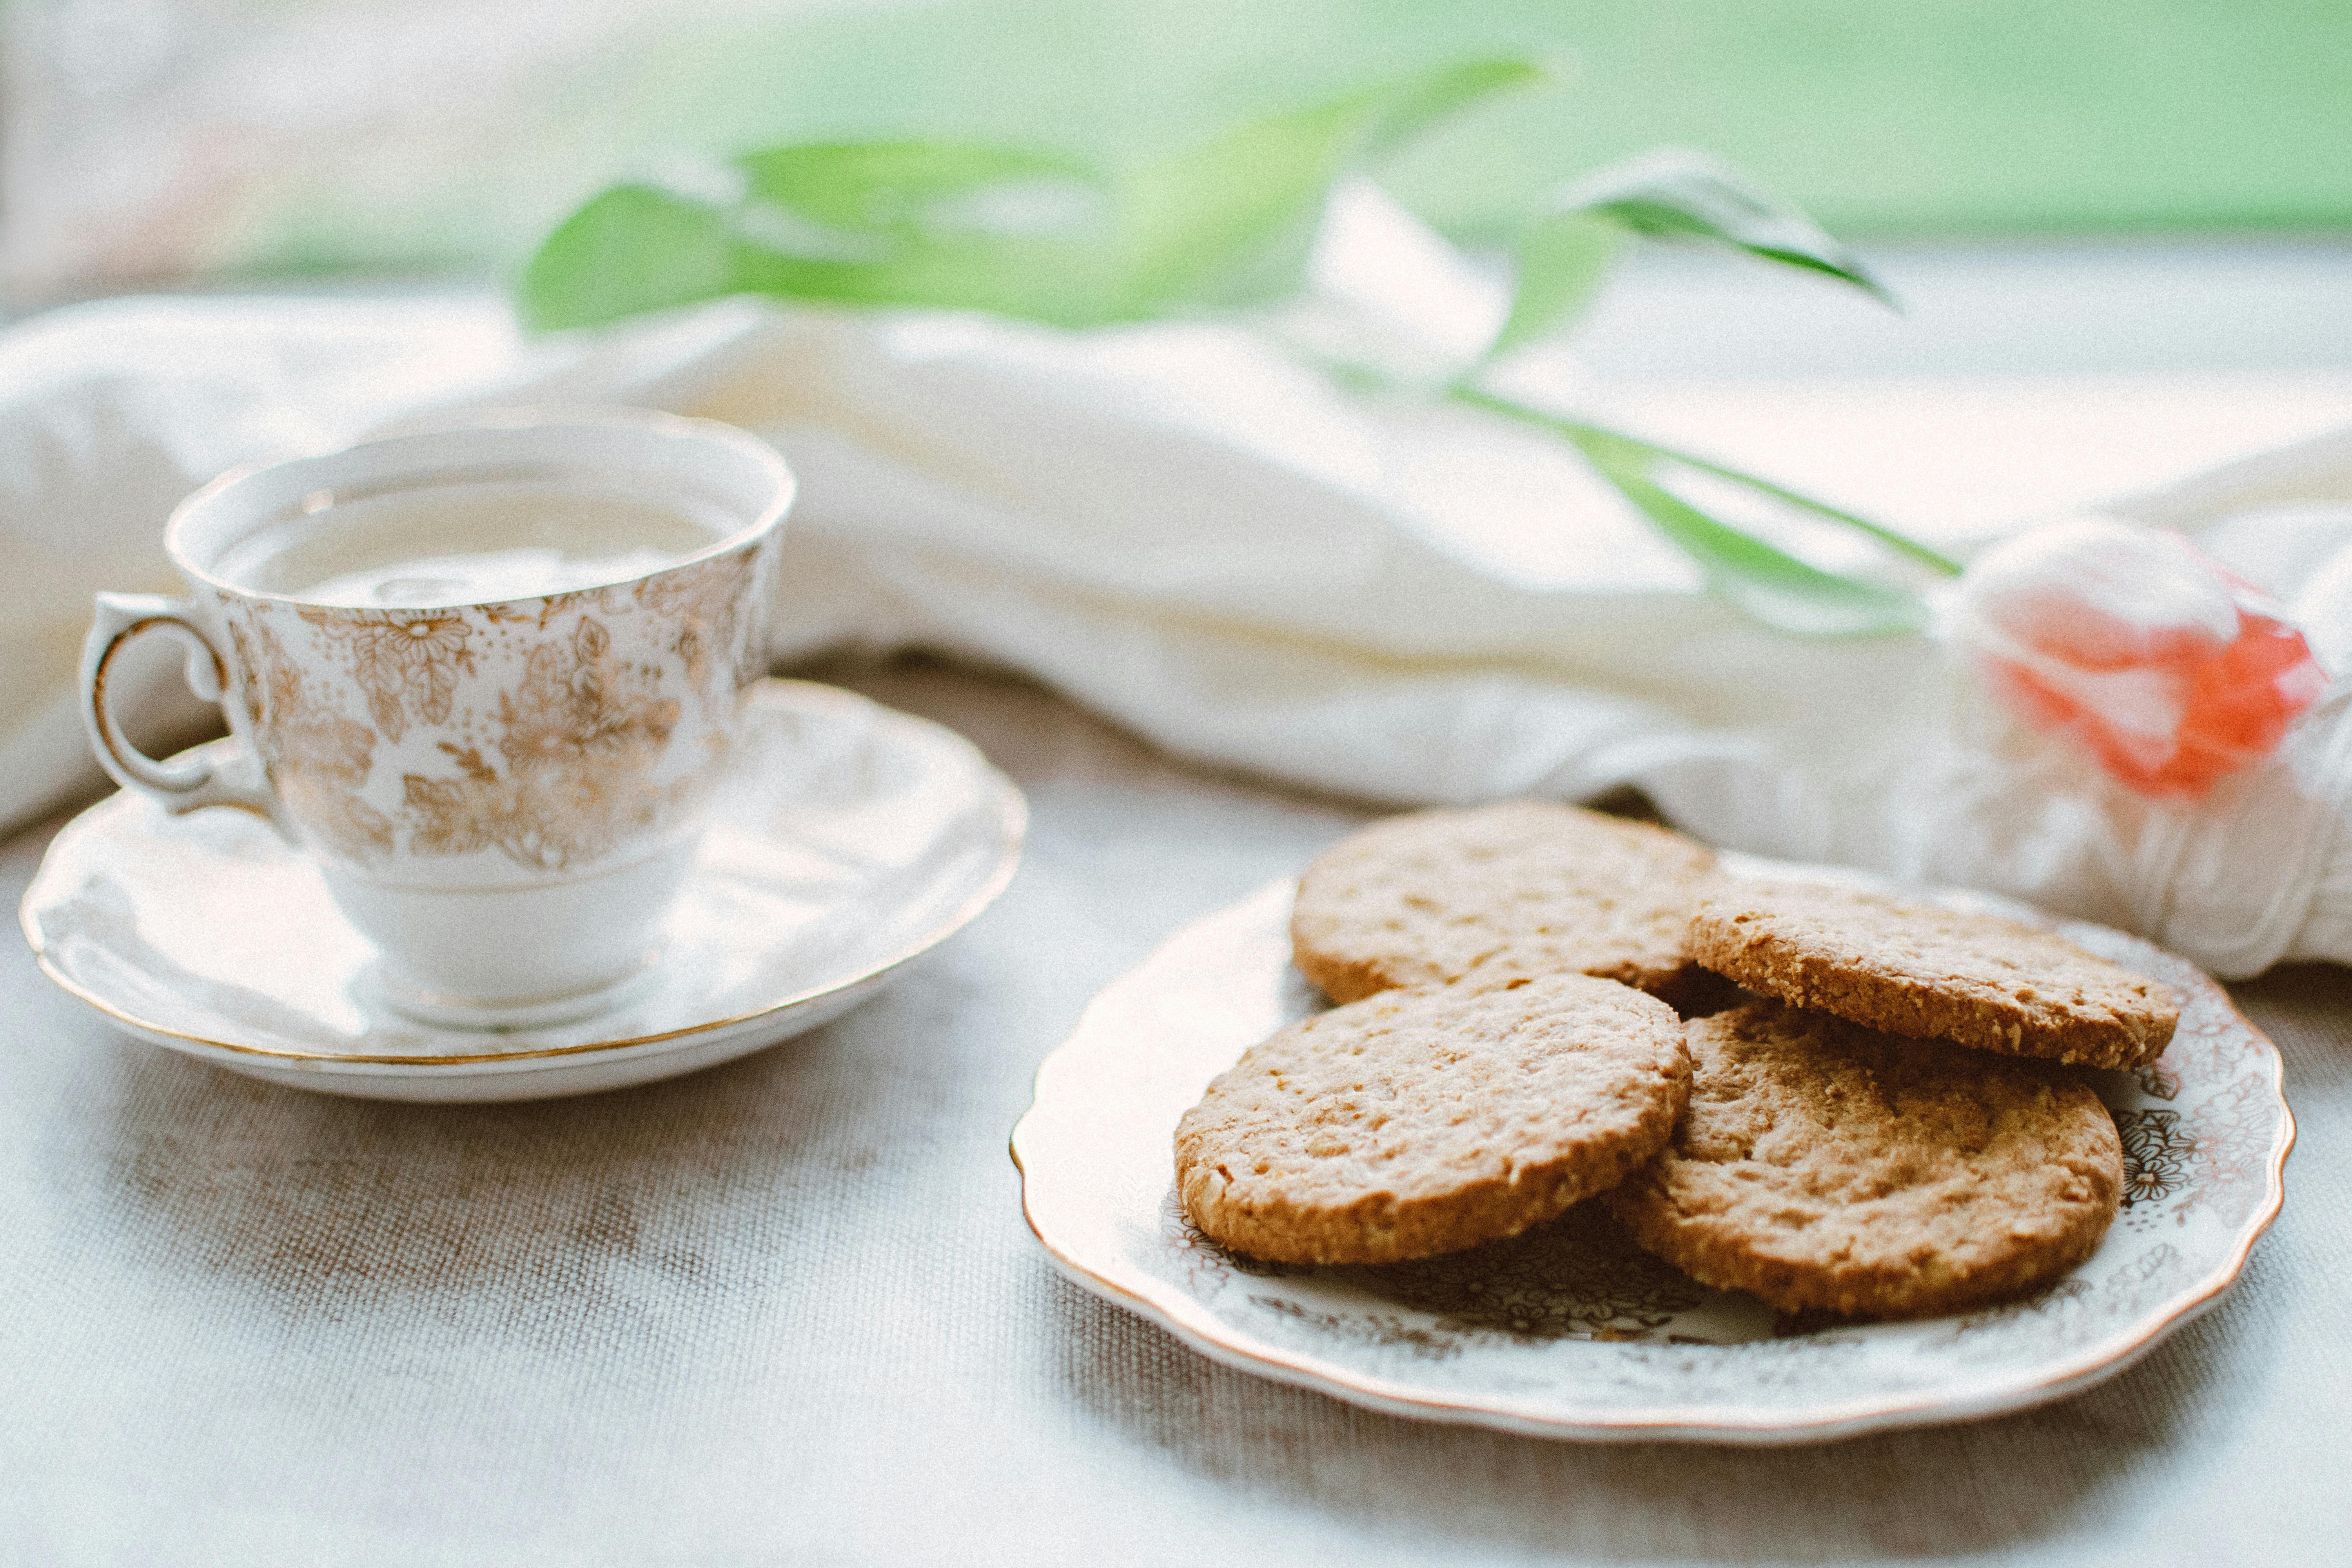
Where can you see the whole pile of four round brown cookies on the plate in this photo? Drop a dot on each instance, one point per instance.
(1887, 1123)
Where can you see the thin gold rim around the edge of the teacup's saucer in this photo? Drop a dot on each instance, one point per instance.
(1013, 810)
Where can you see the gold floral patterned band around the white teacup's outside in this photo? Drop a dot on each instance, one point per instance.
(549, 725)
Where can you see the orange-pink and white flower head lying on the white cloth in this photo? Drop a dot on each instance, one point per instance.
(2139, 648)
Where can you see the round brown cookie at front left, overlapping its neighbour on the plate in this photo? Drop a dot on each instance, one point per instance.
(1429, 1120)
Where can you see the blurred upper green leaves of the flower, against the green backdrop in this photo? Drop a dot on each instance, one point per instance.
(1053, 239)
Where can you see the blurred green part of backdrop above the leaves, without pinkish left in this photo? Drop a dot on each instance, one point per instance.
(1885, 119)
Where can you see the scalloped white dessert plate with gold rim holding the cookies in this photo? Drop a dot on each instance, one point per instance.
(1570, 1329)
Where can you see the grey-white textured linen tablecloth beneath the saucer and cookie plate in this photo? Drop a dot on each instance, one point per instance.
(787, 1311)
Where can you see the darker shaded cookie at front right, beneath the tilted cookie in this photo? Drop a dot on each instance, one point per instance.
(1831, 1167)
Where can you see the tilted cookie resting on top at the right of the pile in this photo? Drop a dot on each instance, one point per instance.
(1932, 974)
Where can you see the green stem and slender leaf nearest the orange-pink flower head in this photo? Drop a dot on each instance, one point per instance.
(1756, 575)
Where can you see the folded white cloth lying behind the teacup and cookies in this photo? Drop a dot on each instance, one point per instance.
(1189, 532)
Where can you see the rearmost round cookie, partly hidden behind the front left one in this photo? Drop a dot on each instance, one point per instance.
(1499, 892)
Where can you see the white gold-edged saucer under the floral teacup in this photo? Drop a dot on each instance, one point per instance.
(846, 843)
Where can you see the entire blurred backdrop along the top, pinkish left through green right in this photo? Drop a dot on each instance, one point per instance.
(448, 140)
